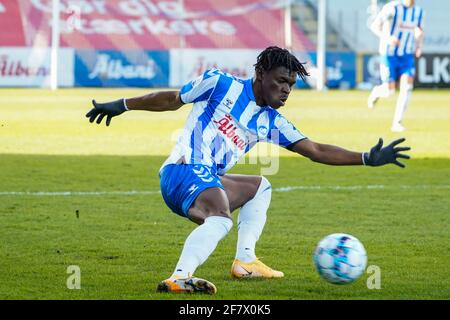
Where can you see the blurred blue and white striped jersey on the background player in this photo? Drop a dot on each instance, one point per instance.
(401, 22)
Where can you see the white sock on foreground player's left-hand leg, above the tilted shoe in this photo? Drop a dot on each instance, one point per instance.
(200, 244)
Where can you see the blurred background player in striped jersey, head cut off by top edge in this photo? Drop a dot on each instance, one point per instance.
(399, 25)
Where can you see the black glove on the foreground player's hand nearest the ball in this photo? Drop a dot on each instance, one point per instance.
(380, 156)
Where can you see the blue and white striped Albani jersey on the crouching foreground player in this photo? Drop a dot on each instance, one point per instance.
(225, 122)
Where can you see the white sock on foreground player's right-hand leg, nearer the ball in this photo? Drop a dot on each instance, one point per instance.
(251, 220)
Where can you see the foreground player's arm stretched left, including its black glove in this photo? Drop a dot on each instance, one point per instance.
(157, 101)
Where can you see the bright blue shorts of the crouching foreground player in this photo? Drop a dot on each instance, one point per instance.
(182, 183)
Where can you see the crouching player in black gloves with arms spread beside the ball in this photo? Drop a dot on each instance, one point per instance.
(228, 117)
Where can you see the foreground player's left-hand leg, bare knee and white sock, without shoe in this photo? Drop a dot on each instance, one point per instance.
(211, 211)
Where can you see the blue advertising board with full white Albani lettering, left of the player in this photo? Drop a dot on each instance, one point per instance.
(107, 68)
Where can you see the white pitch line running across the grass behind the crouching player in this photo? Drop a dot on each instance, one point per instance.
(281, 189)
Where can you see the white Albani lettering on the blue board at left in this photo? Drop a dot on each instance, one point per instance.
(107, 68)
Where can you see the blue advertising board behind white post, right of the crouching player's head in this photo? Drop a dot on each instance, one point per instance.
(341, 69)
